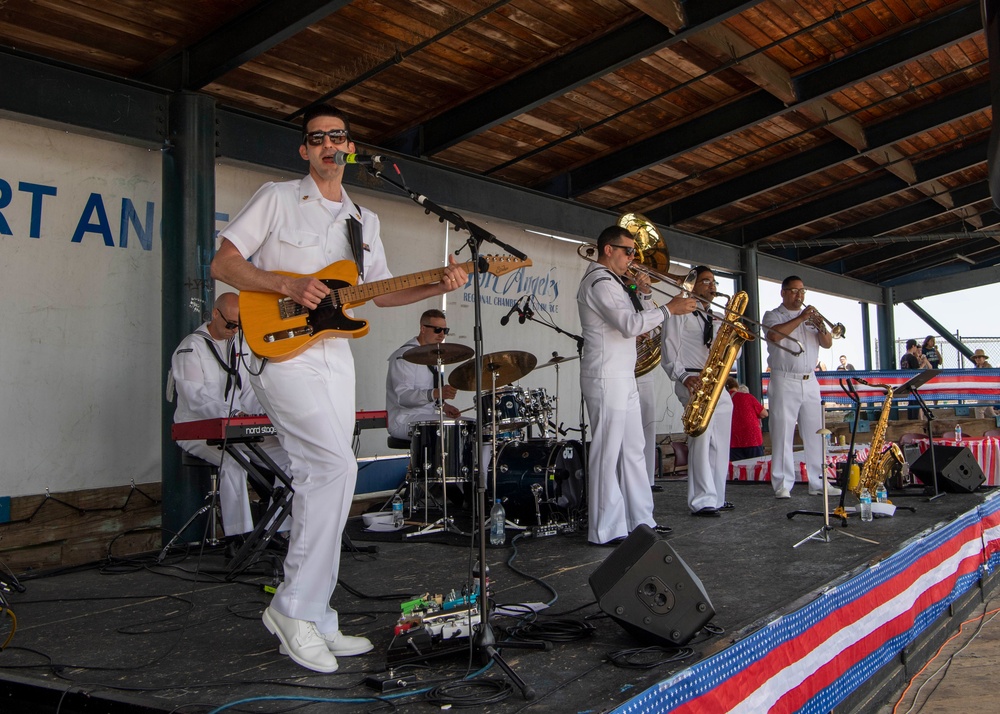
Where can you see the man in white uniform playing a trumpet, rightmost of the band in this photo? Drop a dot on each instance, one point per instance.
(794, 395)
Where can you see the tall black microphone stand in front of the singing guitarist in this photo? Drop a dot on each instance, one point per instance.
(483, 640)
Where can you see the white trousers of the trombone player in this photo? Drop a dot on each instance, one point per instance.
(618, 493)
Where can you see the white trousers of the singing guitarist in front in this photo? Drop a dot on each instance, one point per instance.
(310, 399)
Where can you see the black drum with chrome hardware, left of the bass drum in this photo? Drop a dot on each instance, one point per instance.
(425, 449)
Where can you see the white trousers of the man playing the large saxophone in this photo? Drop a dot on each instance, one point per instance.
(708, 458)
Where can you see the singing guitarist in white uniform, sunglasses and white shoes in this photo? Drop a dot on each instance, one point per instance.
(301, 227)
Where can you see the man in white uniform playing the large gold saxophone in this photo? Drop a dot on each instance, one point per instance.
(687, 340)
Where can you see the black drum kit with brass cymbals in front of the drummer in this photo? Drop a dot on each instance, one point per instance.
(535, 475)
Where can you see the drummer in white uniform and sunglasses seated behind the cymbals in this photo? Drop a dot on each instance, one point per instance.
(411, 390)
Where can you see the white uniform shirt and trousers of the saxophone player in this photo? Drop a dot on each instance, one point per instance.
(684, 354)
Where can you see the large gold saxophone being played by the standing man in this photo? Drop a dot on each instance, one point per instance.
(712, 379)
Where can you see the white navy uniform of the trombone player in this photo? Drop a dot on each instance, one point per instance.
(619, 497)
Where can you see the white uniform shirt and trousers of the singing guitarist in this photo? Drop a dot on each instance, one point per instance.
(310, 399)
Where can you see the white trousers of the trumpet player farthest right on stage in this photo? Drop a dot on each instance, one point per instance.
(793, 399)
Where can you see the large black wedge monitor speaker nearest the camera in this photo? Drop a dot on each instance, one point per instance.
(648, 590)
